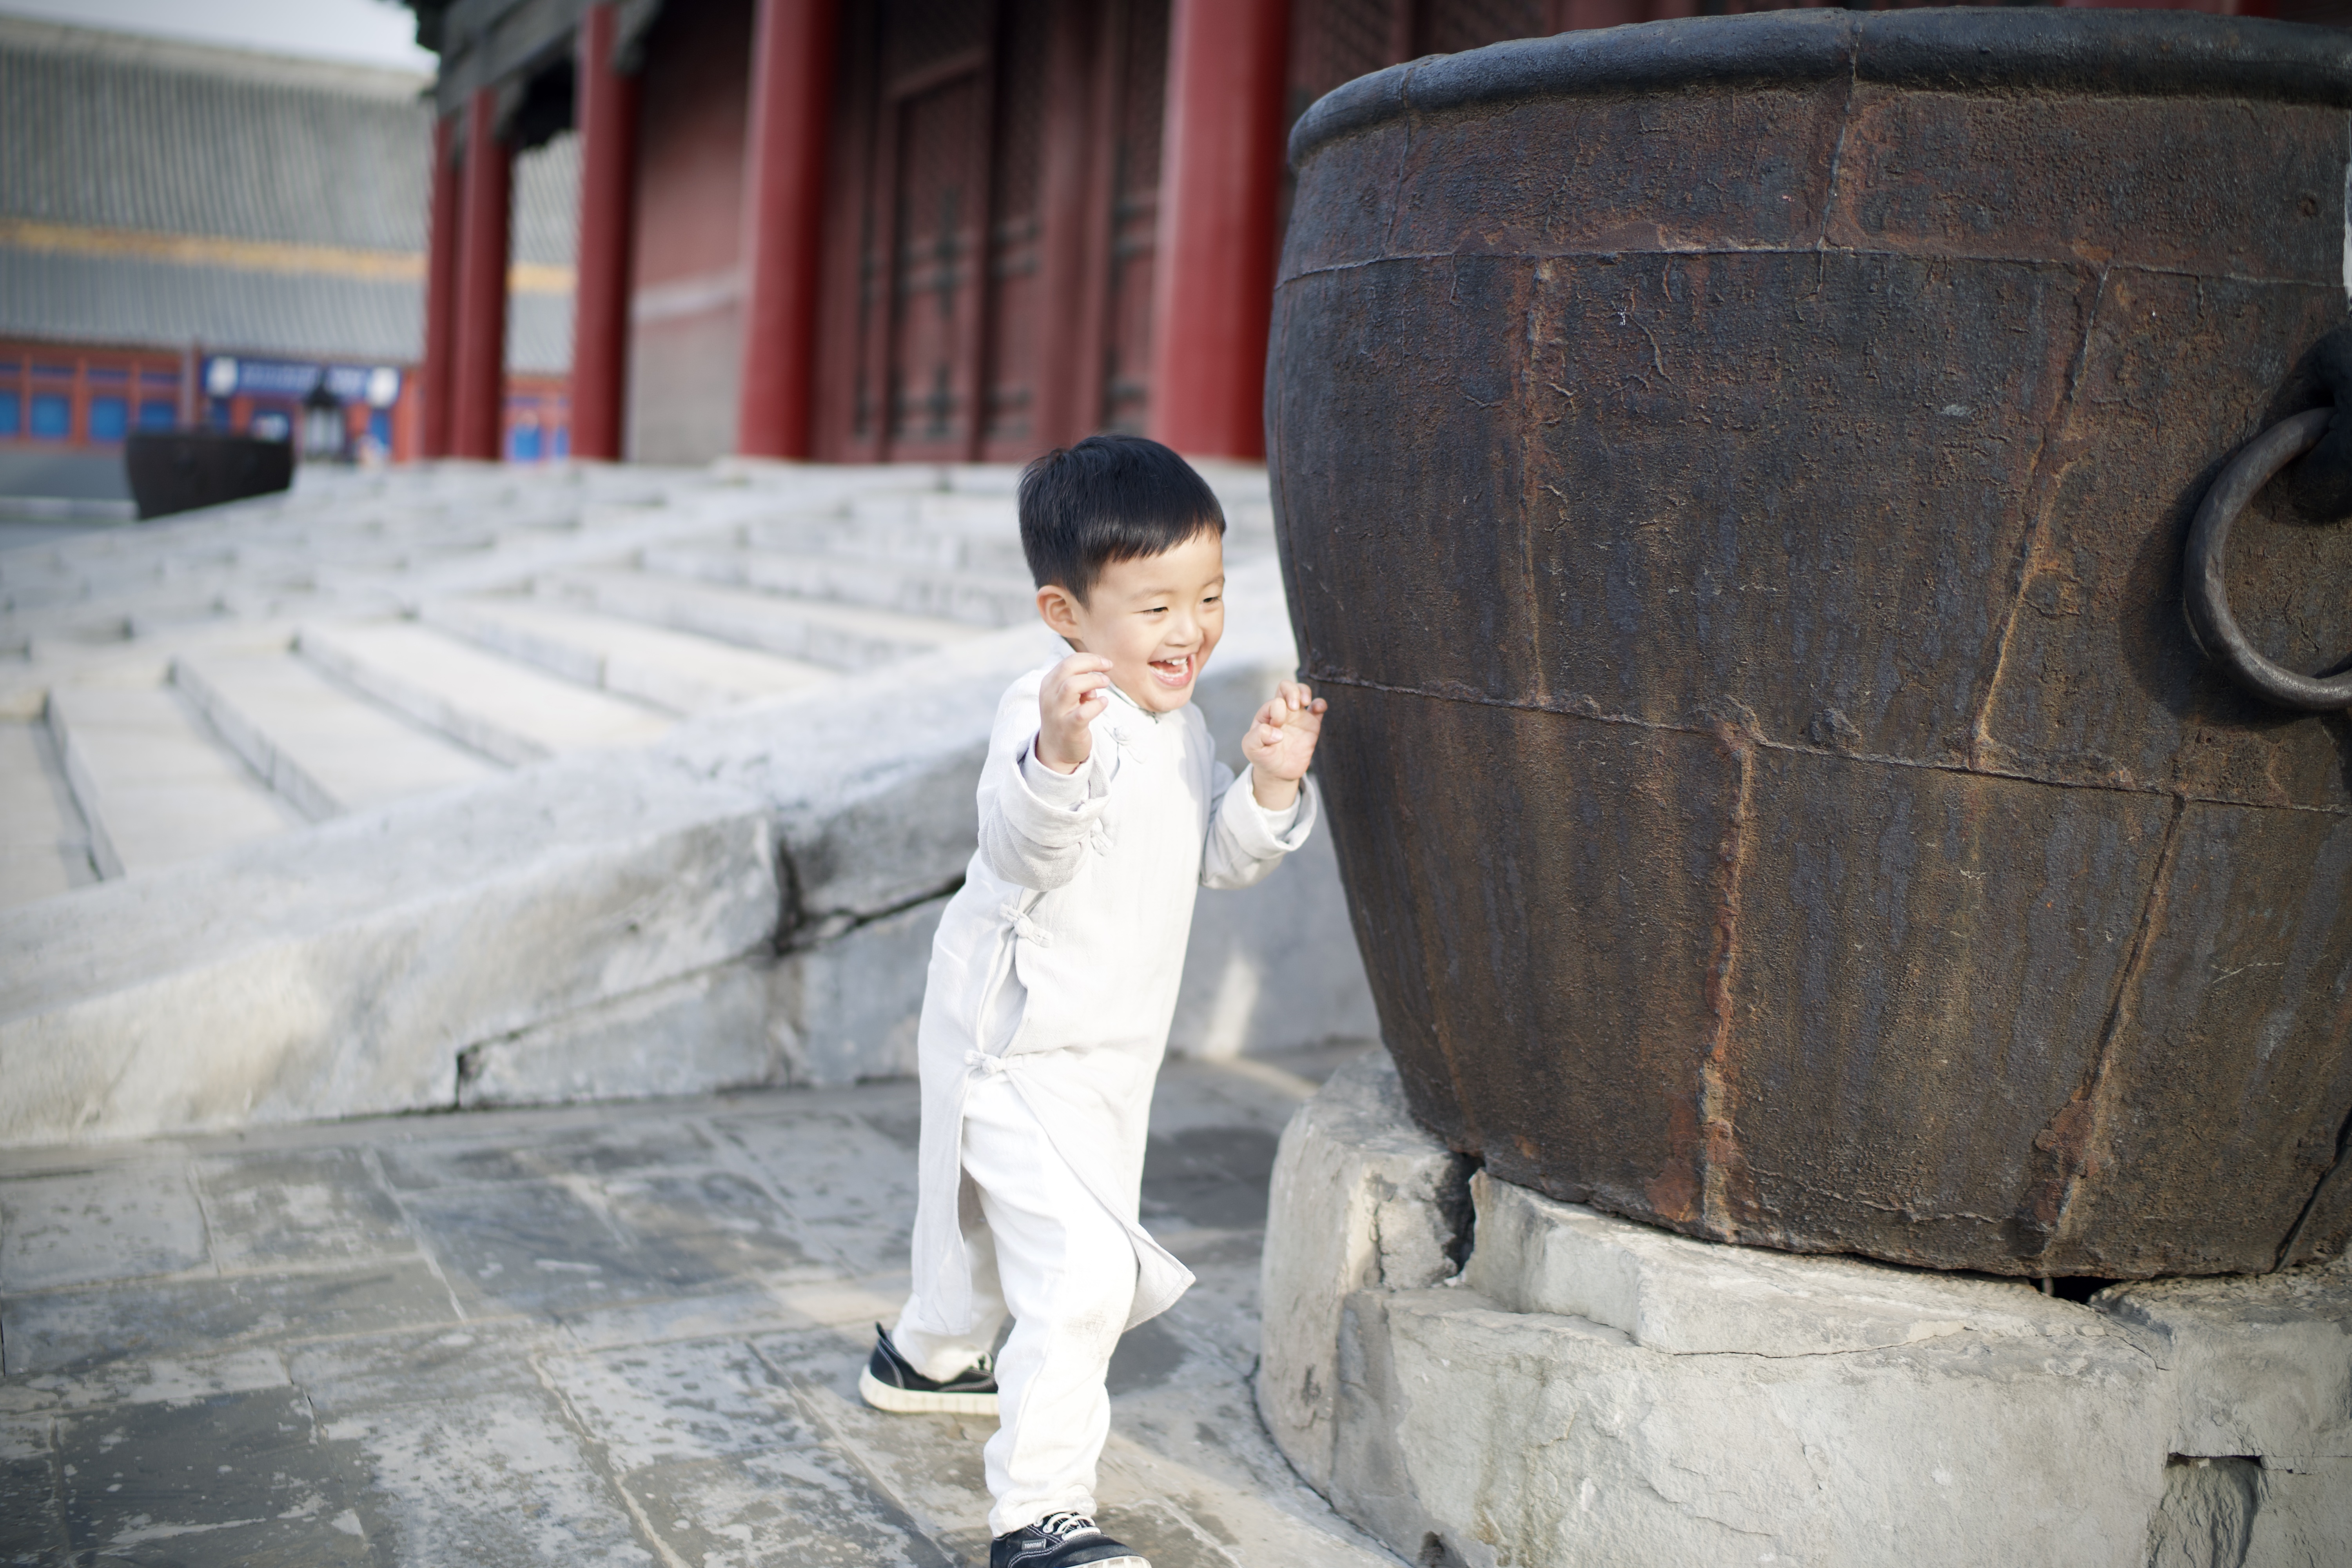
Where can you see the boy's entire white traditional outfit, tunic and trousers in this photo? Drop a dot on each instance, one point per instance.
(1043, 1026)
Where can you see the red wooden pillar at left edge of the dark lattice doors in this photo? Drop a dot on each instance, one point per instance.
(784, 208)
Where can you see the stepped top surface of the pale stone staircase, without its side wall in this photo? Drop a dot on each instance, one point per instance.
(180, 690)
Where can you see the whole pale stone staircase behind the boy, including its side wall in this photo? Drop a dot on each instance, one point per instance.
(462, 786)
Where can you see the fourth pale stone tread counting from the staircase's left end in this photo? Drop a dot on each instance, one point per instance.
(479, 699)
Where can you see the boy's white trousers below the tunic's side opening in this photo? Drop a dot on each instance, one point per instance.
(1048, 1252)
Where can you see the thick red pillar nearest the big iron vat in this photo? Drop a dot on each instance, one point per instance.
(1215, 269)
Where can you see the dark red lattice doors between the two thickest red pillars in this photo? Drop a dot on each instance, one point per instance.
(991, 227)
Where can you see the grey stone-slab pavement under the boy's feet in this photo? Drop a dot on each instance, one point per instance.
(617, 1334)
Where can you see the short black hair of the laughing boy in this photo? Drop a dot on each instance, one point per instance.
(1109, 500)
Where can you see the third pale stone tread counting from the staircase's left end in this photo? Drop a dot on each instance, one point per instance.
(319, 744)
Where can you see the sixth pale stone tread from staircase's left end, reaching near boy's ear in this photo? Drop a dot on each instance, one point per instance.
(838, 636)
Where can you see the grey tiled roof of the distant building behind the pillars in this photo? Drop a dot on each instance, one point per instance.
(105, 130)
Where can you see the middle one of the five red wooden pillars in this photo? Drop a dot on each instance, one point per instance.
(608, 119)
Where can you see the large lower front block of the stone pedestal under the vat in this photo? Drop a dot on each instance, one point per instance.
(1549, 1440)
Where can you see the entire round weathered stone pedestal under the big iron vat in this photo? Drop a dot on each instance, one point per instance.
(1537, 1383)
